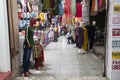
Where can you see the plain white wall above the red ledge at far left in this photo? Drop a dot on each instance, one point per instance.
(4, 40)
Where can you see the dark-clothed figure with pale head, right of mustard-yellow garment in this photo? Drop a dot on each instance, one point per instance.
(92, 30)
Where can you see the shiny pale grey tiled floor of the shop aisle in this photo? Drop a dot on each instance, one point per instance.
(64, 61)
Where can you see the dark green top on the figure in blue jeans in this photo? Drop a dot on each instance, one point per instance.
(30, 37)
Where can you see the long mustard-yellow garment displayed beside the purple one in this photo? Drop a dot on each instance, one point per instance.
(85, 36)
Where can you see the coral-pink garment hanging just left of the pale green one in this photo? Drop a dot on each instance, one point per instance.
(67, 9)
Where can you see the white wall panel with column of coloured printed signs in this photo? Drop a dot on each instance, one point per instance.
(113, 40)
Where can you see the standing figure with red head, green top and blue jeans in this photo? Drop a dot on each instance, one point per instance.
(28, 44)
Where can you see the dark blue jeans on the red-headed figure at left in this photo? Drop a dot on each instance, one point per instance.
(26, 59)
